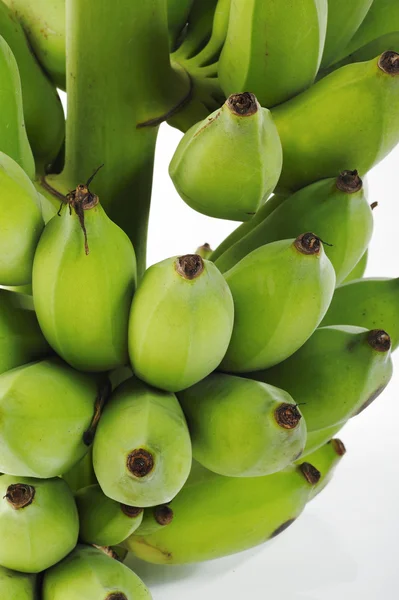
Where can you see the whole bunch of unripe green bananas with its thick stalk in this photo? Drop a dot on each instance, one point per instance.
(186, 411)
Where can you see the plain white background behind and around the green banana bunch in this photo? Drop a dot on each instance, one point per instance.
(345, 544)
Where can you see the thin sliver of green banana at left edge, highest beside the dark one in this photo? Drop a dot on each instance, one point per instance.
(13, 138)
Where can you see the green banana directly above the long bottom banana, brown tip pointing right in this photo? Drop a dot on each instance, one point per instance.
(237, 438)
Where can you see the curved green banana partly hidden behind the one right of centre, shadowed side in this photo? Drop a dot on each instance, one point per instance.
(336, 209)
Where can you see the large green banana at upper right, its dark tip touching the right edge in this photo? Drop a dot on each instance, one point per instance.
(360, 128)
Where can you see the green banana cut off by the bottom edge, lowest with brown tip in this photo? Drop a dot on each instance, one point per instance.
(89, 574)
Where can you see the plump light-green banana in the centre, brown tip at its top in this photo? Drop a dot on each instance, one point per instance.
(180, 322)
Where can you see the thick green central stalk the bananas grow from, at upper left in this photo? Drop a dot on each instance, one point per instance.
(120, 86)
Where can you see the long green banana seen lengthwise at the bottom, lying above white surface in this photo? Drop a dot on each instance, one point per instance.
(216, 516)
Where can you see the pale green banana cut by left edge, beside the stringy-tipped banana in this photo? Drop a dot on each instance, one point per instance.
(21, 223)
